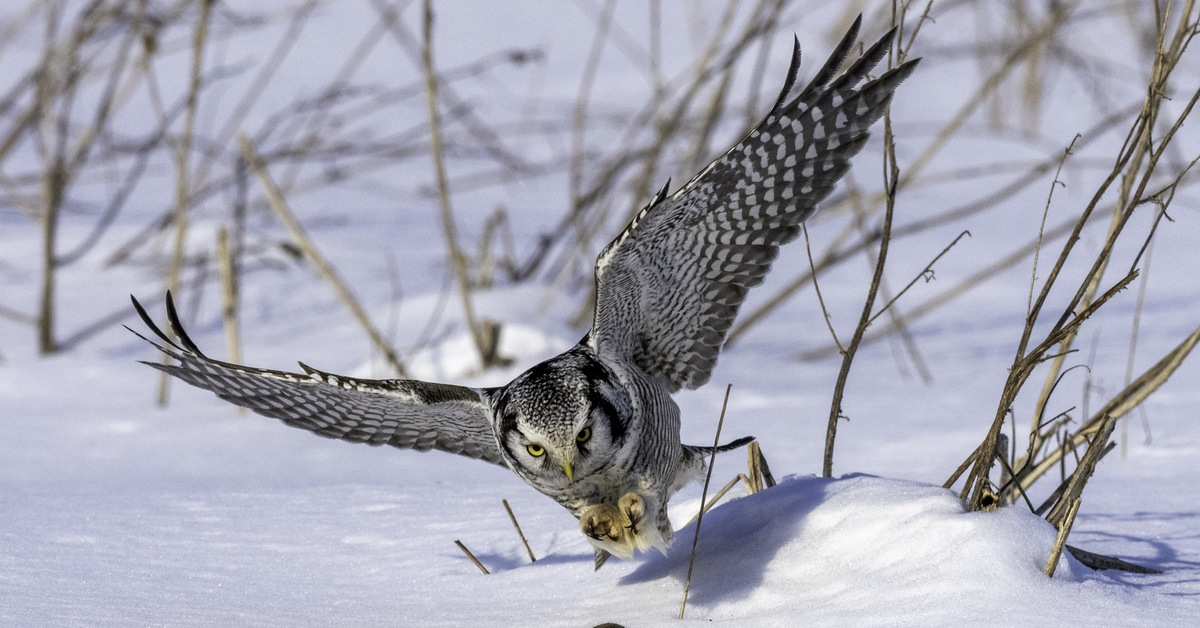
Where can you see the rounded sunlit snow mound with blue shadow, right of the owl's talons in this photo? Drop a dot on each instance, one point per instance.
(885, 553)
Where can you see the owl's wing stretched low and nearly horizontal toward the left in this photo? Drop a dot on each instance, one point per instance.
(404, 414)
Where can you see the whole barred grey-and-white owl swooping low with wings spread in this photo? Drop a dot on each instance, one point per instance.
(596, 428)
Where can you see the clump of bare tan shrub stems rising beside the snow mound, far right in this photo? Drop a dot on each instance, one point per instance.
(1147, 182)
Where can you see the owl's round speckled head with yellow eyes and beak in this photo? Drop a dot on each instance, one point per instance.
(562, 421)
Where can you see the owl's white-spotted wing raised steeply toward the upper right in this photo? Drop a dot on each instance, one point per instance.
(669, 288)
